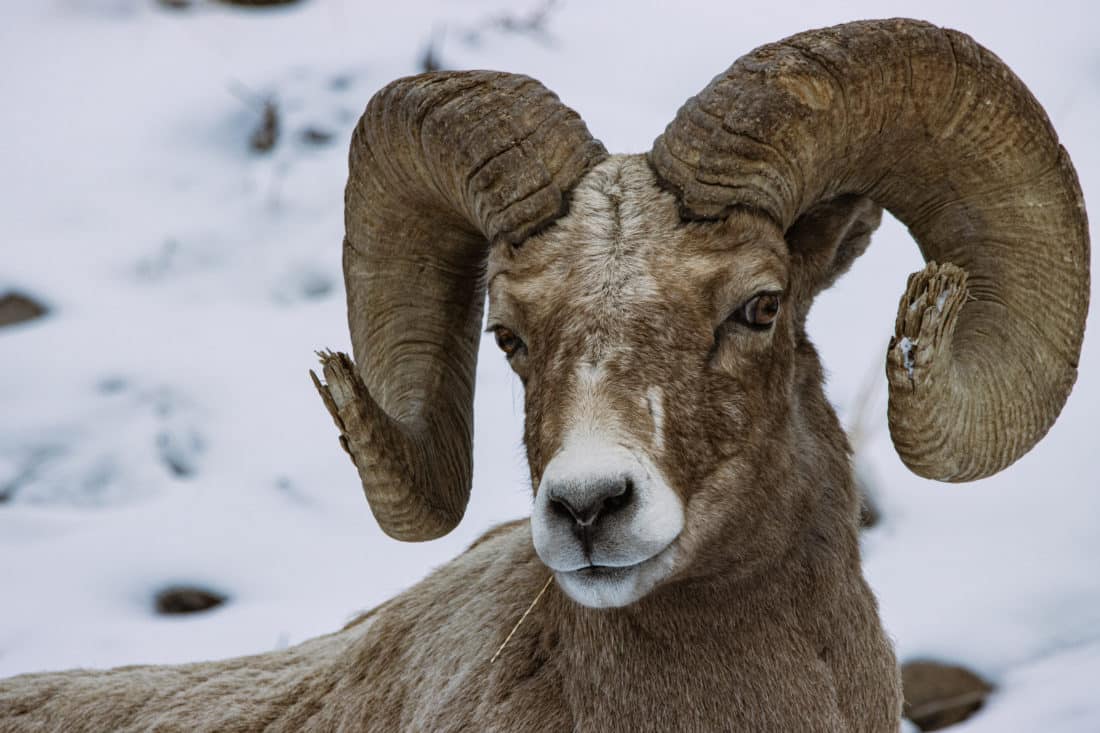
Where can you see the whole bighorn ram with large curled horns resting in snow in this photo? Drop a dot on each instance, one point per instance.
(694, 490)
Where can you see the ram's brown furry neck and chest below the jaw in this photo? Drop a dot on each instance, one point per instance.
(764, 642)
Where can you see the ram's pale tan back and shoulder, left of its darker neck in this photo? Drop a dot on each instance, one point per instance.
(415, 663)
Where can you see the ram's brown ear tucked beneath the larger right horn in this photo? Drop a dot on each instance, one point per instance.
(827, 240)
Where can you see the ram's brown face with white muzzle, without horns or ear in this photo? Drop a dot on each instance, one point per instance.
(657, 360)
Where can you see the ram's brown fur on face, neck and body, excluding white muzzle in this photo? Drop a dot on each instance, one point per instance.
(766, 625)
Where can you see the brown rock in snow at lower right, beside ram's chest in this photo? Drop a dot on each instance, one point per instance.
(940, 695)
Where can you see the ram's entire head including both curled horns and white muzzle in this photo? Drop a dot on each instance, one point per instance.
(654, 305)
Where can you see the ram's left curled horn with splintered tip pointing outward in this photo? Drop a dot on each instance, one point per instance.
(442, 167)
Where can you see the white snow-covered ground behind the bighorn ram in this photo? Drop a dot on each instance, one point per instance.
(160, 428)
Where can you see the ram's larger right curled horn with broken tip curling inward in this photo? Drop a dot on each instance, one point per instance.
(942, 134)
